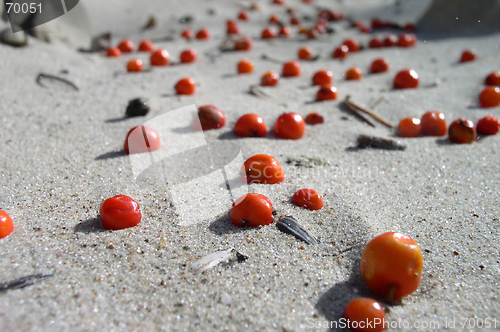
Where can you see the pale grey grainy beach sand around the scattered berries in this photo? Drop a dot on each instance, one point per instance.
(61, 156)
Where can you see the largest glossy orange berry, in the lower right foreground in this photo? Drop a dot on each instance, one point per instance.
(393, 275)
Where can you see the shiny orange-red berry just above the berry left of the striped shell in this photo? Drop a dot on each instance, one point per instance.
(264, 169)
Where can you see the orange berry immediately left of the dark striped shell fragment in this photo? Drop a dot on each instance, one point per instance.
(252, 210)
